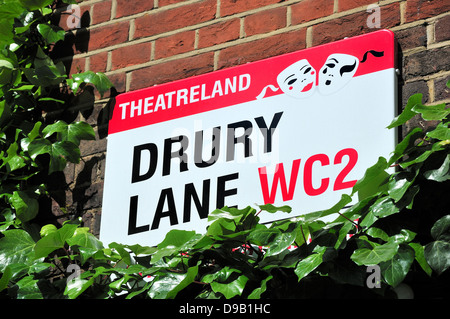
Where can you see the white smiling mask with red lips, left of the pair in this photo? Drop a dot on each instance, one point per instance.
(298, 79)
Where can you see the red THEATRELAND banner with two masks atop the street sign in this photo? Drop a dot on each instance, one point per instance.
(319, 70)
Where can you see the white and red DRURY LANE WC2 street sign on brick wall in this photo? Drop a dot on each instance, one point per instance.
(297, 129)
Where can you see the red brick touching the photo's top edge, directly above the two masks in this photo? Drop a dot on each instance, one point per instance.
(310, 9)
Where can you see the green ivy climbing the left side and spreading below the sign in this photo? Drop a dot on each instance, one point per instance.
(398, 224)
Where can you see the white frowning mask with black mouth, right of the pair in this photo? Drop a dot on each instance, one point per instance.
(337, 71)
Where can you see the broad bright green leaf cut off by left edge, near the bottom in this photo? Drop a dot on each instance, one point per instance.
(16, 247)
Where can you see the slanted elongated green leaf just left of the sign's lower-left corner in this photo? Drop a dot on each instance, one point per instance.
(54, 240)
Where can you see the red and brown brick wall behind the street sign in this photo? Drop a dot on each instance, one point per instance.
(146, 42)
